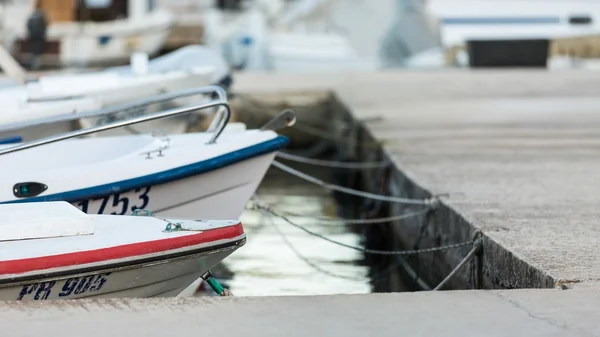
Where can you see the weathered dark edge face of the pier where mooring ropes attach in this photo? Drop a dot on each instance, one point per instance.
(502, 269)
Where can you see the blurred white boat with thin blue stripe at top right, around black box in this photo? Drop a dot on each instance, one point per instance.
(519, 33)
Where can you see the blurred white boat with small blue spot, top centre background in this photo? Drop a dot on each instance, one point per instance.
(251, 42)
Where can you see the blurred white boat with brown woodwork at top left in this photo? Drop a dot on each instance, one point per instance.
(82, 33)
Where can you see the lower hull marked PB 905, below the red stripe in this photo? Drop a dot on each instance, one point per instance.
(163, 278)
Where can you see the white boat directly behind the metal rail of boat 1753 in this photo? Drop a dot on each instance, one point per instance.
(31, 104)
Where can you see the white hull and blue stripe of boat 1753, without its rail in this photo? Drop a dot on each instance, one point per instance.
(114, 175)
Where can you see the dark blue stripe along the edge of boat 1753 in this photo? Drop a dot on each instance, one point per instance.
(165, 176)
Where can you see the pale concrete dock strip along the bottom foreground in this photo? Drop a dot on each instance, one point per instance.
(548, 312)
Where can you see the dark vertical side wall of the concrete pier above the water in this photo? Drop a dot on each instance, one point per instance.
(499, 268)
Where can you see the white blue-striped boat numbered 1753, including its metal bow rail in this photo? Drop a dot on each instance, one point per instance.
(228, 178)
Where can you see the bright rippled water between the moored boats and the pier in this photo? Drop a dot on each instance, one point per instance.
(266, 266)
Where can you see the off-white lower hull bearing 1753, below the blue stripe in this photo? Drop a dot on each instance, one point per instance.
(220, 194)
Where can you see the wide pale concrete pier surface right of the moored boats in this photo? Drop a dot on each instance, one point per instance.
(516, 151)
